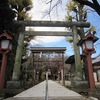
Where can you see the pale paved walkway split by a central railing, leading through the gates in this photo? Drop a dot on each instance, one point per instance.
(55, 92)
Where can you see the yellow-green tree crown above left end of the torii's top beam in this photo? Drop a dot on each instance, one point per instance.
(21, 7)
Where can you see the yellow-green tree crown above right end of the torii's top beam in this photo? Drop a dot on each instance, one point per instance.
(75, 10)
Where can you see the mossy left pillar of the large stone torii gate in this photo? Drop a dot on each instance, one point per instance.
(18, 57)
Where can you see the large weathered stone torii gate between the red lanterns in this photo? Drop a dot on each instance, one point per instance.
(73, 25)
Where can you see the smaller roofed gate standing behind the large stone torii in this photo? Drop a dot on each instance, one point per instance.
(48, 51)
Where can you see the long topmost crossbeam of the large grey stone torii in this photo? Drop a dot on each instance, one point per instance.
(53, 23)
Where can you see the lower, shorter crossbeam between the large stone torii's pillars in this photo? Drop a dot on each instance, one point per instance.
(48, 33)
